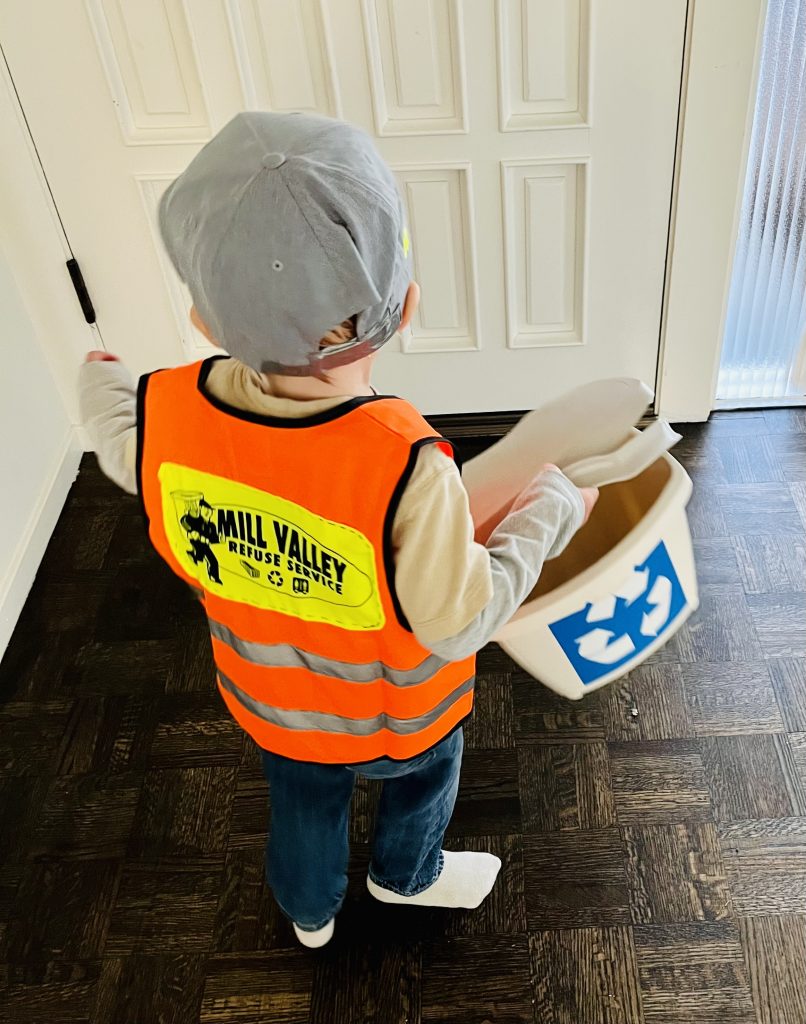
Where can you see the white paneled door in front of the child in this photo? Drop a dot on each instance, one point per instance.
(534, 142)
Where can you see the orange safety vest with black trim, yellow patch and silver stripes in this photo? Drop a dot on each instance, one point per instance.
(285, 526)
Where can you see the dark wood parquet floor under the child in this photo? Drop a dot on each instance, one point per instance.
(654, 837)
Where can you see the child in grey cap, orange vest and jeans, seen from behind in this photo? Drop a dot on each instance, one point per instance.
(325, 527)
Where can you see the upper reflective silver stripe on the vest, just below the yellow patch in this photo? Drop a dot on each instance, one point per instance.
(283, 656)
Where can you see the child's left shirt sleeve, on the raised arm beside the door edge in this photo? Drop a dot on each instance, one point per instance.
(108, 400)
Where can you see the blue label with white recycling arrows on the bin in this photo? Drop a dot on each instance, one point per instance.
(612, 632)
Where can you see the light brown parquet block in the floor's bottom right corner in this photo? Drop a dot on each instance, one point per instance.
(776, 955)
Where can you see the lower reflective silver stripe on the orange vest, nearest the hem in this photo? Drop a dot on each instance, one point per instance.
(325, 722)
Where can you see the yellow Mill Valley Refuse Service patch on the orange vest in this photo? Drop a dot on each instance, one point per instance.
(246, 545)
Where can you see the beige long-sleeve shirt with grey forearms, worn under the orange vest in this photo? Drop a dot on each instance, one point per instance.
(479, 587)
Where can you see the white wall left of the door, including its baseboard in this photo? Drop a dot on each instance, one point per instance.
(43, 339)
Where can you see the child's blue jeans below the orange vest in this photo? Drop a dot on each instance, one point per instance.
(308, 850)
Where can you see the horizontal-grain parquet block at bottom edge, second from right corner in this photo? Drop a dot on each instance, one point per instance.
(693, 972)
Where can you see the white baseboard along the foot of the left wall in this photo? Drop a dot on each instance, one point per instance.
(15, 589)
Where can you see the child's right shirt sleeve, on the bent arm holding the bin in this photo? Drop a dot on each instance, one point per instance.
(457, 593)
